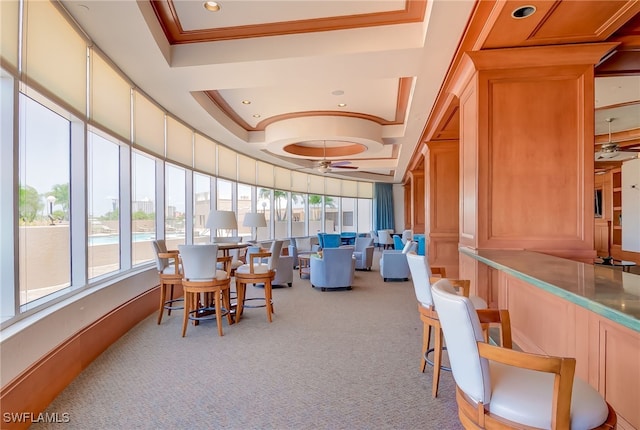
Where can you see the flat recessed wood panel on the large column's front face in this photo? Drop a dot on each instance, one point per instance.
(536, 156)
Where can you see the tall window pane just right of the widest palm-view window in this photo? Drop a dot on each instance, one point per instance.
(103, 223)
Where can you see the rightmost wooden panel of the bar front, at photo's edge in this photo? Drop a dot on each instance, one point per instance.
(620, 370)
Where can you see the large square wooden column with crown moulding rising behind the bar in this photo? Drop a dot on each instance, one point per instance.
(526, 151)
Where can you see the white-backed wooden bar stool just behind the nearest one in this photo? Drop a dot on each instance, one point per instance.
(422, 277)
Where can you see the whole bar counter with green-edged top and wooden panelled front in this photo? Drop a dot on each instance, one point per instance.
(571, 309)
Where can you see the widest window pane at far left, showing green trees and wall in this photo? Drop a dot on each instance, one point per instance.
(44, 203)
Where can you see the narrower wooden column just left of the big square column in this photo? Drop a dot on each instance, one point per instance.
(441, 183)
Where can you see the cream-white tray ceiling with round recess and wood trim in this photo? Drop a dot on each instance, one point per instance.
(306, 72)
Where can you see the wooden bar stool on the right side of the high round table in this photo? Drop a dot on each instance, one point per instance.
(258, 272)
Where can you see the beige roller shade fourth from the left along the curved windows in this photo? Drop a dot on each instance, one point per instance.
(148, 125)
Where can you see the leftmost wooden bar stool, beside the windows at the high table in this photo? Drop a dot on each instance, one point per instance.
(170, 273)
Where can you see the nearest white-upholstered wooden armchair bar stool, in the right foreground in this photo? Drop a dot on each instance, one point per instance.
(499, 388)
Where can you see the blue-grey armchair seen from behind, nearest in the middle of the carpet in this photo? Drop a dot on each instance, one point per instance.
(334, 270)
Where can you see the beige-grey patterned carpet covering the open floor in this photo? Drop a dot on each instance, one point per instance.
(329, 360)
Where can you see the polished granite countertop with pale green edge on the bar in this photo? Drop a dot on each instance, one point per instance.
(608, 292)
